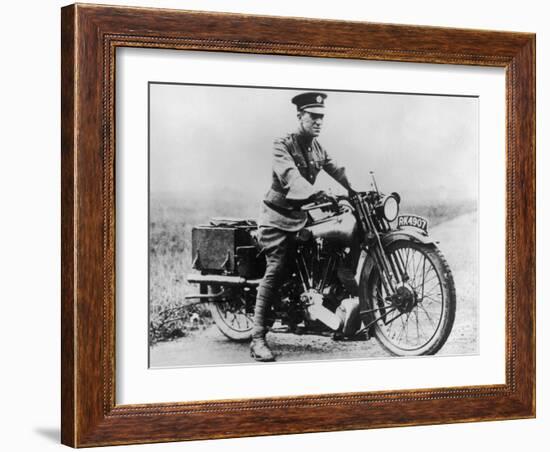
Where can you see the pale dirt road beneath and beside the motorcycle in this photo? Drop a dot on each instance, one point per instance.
(210, 346)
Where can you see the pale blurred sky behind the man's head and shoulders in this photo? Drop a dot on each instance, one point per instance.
(206, 139)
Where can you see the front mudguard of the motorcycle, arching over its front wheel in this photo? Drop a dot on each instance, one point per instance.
(367, 265)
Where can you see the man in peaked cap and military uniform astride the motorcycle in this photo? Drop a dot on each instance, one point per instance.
(297, 160)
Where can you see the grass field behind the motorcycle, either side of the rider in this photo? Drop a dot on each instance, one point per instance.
(171, 221)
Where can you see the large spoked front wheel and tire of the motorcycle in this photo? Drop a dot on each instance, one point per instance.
(426, 313)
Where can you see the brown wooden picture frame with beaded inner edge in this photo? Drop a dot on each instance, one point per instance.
(90, 36)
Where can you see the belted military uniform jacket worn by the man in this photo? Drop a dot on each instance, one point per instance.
(297, 161)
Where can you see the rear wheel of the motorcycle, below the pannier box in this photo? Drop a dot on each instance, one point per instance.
(231, 316)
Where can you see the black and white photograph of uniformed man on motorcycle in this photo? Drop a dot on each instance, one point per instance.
(308, 224)
